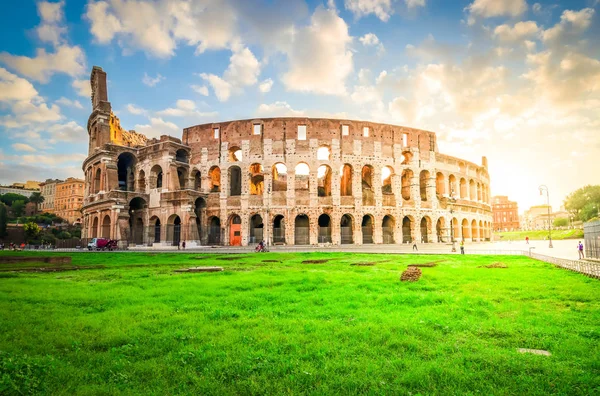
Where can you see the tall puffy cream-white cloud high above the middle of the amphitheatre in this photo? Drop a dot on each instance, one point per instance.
(320, 59)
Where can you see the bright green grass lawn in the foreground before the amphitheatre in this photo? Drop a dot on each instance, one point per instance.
(131, 325)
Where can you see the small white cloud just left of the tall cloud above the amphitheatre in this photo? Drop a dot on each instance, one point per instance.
(243, 70)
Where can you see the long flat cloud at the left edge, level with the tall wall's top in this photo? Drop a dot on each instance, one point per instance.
(67, 60)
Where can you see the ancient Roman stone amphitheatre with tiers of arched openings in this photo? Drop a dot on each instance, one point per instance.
(292, 181)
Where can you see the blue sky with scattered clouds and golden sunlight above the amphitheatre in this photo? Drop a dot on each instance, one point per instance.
(516, 81)
